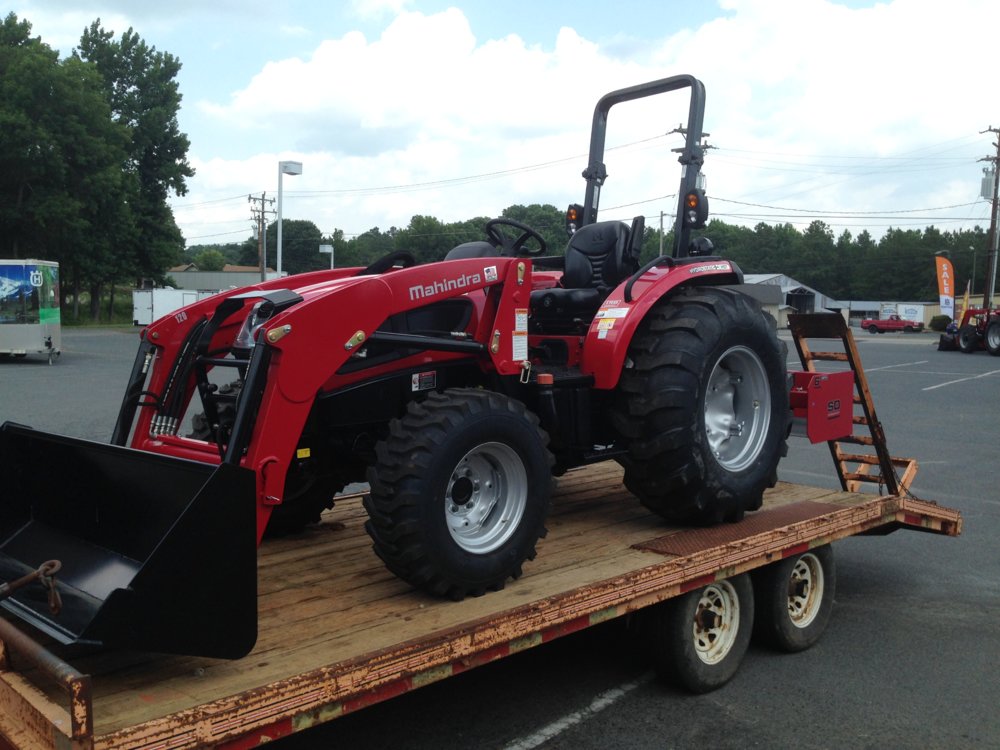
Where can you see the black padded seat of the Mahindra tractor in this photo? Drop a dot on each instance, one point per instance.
(598, 258)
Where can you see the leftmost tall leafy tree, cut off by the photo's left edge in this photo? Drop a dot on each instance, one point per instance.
(61, 156)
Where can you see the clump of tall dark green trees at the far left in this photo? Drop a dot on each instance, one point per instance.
(91, 150)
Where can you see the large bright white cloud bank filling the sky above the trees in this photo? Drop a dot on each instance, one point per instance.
(812, 105)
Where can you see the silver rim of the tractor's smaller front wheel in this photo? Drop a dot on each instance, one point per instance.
(486, 497)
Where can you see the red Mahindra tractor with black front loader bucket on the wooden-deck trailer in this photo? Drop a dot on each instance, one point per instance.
(456, 389)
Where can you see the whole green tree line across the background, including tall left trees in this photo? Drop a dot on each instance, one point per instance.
(91, 150)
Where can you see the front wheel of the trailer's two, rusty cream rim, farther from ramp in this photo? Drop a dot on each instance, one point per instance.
(698, 640)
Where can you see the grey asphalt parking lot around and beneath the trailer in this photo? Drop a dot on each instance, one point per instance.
(910, 659)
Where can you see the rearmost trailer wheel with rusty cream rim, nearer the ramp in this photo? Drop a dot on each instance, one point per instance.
(794, 599)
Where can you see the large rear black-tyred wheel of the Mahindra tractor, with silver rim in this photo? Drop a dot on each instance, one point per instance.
(702, 407)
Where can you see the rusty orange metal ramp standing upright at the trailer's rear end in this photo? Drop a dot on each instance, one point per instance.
(867, 460)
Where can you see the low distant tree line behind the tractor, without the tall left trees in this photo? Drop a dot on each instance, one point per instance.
(898, 266)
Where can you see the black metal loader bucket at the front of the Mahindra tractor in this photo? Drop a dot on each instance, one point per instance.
(157, 553)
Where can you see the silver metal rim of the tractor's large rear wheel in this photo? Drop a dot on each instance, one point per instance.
(737, 408)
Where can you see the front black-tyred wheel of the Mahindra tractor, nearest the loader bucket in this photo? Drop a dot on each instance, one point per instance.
(460, 492)
